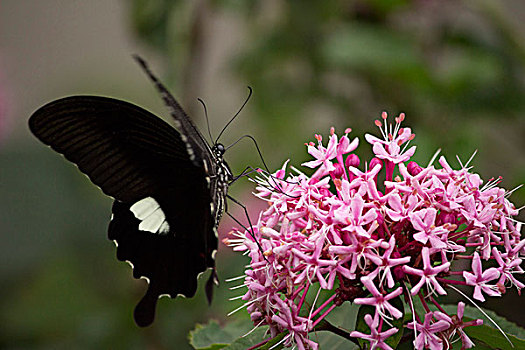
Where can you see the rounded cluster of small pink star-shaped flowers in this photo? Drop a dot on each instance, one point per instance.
(370, 241)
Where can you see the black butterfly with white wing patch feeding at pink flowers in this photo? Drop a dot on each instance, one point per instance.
(169, 186)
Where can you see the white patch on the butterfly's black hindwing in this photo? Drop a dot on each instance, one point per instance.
(151, 215)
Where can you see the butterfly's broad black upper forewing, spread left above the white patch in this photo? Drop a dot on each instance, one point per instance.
(111, 141)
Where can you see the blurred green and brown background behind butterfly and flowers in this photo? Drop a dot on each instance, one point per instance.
(456, 68)
